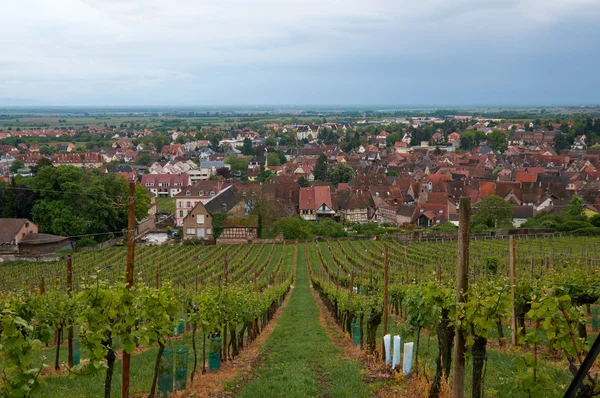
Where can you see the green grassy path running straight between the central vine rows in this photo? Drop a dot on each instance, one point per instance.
(299, 359)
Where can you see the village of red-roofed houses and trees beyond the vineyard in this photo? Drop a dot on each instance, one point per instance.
(397, 172)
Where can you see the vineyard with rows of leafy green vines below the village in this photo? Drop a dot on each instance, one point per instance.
(226, 294)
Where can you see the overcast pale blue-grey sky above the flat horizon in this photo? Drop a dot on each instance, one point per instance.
(293, 52)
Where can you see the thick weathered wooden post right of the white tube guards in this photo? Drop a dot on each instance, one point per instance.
(462, 284)
